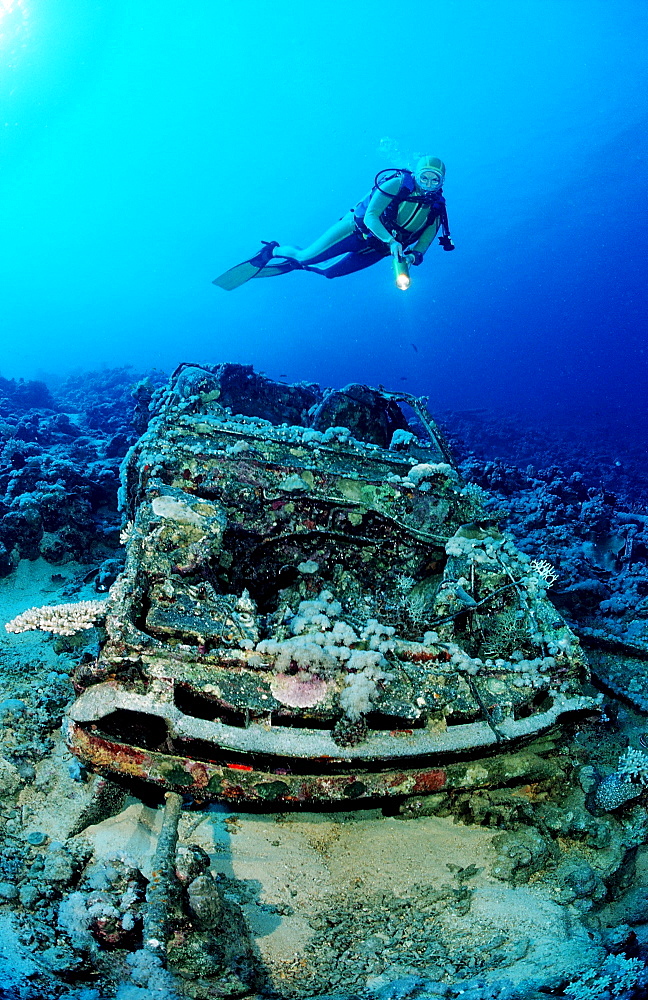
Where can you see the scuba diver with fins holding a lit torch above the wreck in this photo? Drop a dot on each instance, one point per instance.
(400, 217)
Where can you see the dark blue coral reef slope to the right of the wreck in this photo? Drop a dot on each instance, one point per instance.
(587, 516)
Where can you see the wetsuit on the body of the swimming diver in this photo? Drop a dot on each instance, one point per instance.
(360, 238)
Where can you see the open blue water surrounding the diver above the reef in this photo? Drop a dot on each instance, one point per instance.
(148, 147)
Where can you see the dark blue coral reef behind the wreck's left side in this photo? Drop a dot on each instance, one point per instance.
(60, 451)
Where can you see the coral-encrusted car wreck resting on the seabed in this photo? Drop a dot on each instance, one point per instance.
(314, 608)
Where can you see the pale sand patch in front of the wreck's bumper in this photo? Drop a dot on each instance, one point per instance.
(304, 864)
